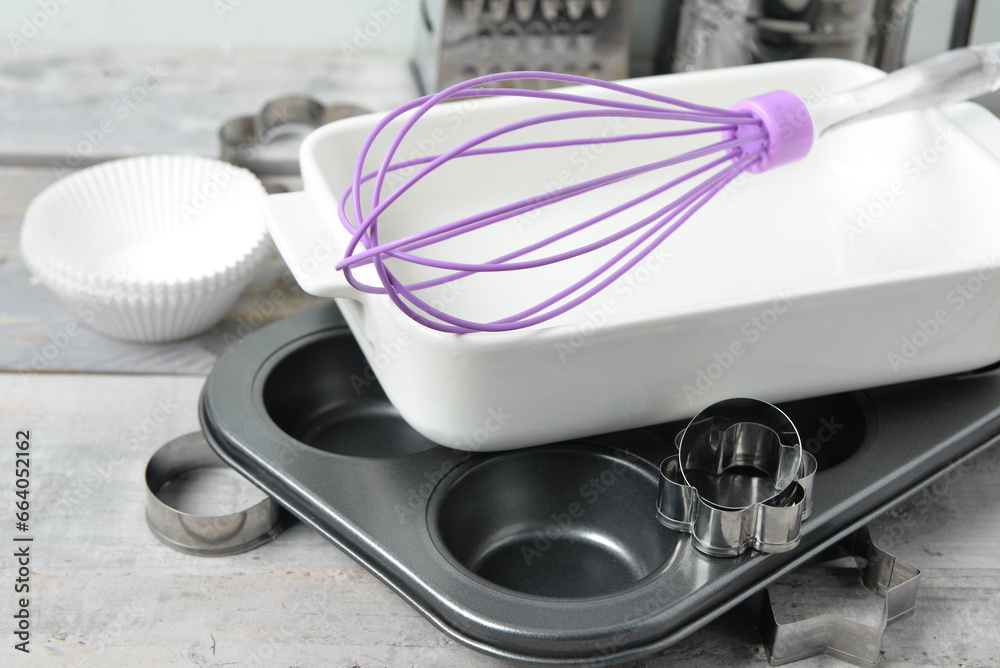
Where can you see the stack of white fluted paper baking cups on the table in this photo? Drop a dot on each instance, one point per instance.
(164, 245)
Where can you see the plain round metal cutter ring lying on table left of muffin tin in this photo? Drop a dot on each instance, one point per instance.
(204, 535)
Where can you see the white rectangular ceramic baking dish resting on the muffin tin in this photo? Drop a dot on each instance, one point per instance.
(875, 260)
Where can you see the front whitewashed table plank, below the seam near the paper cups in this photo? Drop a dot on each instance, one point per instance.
(105, 592)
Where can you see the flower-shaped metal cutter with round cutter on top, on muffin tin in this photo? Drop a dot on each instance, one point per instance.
(740, 480)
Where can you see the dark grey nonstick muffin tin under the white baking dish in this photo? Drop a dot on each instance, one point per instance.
(550, 554)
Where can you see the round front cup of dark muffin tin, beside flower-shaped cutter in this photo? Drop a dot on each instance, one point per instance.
(558, 522)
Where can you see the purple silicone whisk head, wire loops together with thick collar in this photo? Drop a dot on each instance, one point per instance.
(753, 136)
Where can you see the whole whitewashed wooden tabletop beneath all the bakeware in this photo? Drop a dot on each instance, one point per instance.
(104, 592)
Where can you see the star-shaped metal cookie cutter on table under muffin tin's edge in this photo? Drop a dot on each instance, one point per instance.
(883, 574)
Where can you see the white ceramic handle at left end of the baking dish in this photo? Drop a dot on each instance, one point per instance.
(309, 247)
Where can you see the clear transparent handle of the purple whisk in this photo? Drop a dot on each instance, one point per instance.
(953, 76)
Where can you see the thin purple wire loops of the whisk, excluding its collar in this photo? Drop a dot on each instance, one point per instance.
(743, 144)
